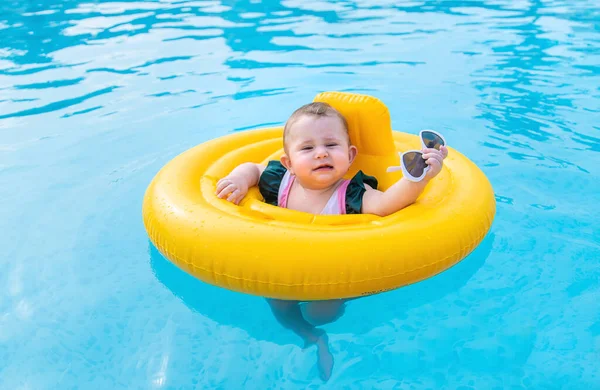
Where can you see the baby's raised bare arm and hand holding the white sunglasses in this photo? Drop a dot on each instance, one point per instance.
(404, 192)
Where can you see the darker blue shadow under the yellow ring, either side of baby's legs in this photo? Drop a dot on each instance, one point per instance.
(223, 306)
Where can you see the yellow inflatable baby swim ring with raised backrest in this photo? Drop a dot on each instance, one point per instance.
(260, 249)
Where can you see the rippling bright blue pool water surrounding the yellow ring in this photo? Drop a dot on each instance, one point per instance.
(96, 96)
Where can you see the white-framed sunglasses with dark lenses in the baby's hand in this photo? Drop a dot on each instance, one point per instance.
(412, 164)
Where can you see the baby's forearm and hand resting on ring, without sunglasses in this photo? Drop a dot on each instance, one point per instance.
(235, 185)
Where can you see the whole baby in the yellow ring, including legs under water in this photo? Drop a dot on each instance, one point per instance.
(310, 178)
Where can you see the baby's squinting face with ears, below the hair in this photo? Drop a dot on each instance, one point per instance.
(318, 151)
